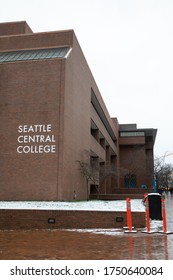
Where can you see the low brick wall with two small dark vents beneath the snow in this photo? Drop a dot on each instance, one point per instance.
(11, 219)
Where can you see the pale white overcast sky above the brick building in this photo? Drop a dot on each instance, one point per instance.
(128, 45)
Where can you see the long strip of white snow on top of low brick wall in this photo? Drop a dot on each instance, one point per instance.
(91, 205)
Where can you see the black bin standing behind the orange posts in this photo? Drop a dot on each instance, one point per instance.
(155, 205)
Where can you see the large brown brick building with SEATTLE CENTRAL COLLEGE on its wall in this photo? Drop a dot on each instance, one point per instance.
(54, 120)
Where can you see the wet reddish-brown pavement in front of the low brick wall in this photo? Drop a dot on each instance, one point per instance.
(90, 245)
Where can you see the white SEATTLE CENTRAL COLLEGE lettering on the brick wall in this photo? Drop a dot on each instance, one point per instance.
(34, 139)
